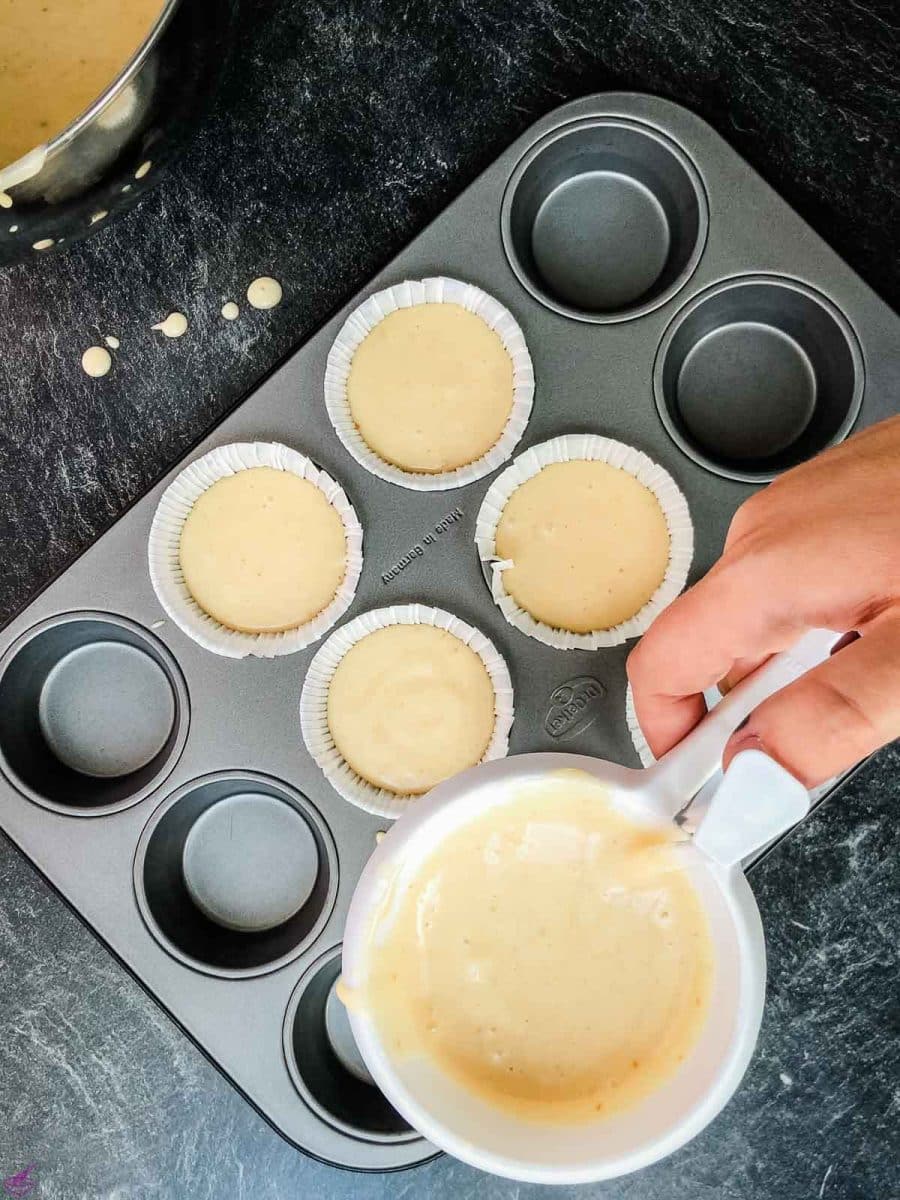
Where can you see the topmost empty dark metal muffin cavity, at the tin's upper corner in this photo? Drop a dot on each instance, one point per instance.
(604, 220)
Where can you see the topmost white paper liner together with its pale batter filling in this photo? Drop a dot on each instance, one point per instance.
(430, 385)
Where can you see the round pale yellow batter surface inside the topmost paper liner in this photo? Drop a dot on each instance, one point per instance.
(431, 388)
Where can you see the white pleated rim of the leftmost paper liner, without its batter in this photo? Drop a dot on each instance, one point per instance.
(172, 512)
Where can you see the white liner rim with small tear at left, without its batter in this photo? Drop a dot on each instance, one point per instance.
(573, 448)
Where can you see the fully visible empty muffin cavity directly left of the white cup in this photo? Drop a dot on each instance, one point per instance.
(236, 874)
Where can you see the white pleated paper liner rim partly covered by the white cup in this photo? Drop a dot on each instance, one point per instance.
(314, 700)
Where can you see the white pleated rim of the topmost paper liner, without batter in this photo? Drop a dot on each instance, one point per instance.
(405, 296)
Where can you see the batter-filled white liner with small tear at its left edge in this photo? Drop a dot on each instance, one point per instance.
(585, 542)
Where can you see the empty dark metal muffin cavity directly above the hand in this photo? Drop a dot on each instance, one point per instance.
(758, 375)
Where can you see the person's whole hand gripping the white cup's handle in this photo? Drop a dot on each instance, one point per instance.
(820, 548)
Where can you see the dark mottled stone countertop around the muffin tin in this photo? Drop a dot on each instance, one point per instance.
(344, 128)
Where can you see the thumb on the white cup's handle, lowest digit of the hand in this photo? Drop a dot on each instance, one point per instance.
(836, 715)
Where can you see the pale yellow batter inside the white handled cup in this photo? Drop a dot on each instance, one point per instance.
(551, 956)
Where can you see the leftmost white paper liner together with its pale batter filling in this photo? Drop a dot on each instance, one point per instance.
(255, 550)
